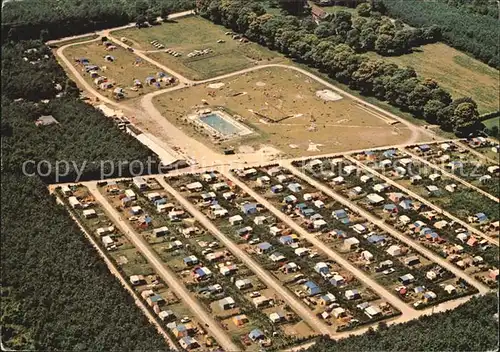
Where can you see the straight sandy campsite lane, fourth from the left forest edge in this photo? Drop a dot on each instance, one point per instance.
(360, 275)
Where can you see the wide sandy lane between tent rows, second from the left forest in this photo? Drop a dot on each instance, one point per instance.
(165, 273)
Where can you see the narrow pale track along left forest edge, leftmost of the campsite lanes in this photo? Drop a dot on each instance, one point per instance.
(114, 270)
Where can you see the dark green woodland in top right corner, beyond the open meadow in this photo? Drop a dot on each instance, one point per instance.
(470, 32)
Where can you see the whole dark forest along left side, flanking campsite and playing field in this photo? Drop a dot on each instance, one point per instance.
(57, 293)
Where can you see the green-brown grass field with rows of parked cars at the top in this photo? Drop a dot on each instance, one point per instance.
(194, 33)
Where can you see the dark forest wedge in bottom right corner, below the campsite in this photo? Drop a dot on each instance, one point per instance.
(471, 327)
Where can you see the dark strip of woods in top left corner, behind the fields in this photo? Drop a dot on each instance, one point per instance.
(60, 18)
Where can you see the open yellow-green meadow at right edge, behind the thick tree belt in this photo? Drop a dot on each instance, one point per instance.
(456, 72)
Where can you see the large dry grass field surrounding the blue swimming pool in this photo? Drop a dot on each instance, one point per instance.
(277, 93)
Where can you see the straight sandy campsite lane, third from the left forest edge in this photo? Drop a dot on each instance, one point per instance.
(304, 312)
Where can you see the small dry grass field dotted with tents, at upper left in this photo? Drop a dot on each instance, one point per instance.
(121, 72)
